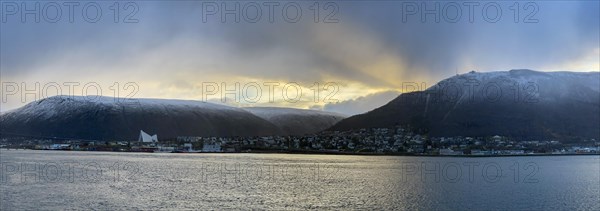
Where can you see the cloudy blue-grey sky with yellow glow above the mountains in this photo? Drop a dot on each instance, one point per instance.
(341, 56)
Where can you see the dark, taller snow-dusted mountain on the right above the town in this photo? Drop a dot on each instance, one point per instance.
(523, 104)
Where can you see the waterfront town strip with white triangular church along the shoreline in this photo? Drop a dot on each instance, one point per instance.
(377, 141)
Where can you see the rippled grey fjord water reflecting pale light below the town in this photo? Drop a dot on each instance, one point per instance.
(61, 180)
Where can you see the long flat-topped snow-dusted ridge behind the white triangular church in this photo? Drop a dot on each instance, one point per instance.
(107, 118)
